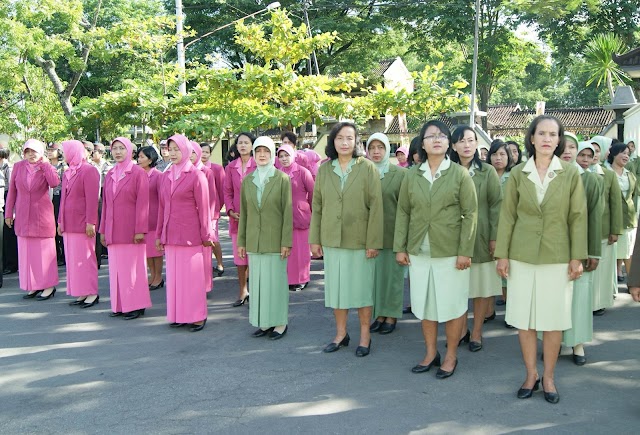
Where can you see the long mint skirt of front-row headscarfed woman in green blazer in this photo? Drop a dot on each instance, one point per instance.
(269, 304)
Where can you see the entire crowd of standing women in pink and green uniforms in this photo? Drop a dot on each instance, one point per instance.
(552, 233)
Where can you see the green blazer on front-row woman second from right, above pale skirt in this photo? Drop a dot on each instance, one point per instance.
(447, 210)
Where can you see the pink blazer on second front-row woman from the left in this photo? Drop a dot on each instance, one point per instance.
(79, 199)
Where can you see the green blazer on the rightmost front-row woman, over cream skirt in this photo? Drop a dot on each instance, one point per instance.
(550, 233)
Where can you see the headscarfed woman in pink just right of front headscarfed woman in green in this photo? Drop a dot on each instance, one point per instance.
(299, 261)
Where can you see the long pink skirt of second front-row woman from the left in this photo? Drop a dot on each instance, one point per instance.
(82, 267)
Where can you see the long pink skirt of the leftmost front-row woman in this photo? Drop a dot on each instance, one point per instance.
(37, 263)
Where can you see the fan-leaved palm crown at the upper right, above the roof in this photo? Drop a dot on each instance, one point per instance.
(600, 64)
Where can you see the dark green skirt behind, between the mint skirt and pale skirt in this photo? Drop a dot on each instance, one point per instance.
(388, 286)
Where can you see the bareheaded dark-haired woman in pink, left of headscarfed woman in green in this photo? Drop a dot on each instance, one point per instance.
(234, 174)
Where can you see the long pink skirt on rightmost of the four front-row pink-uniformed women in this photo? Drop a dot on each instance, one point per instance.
(186, 291)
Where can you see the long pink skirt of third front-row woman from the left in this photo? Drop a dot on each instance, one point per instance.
(128, 277)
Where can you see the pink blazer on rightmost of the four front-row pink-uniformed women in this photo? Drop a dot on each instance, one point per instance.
(184, 216)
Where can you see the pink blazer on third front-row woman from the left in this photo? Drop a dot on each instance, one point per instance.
(125, 213)
